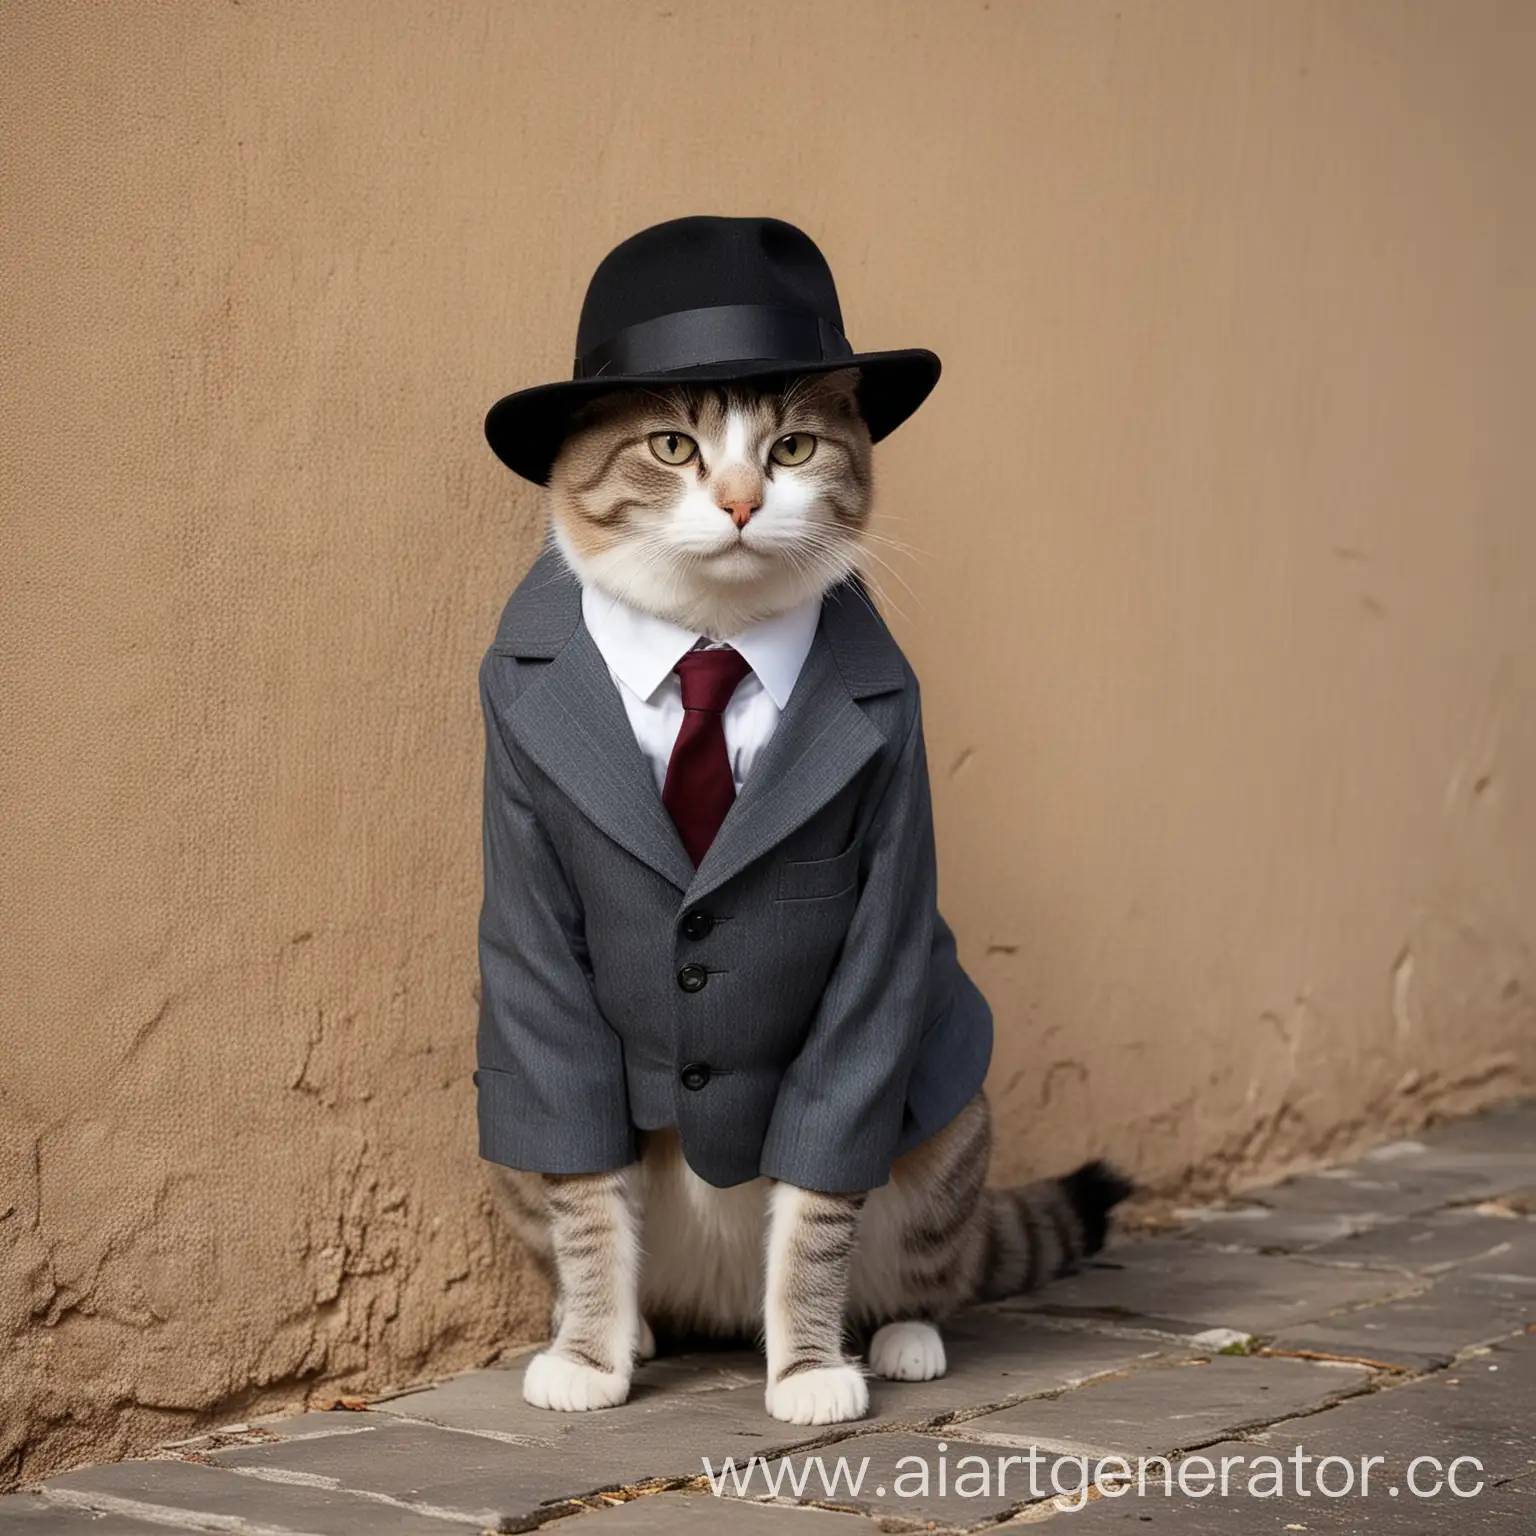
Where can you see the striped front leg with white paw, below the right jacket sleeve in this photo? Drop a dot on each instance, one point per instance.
(812, 1240)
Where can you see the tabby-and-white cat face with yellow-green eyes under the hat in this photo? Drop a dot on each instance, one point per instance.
(717, 506)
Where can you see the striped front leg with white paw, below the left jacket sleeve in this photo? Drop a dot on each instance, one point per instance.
(595, 1237)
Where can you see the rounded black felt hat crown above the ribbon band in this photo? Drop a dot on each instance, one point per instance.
(701, 263)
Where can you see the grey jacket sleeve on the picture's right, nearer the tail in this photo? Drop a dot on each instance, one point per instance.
(839, 1108)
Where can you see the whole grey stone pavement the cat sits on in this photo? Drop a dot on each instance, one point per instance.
(1328, 1332)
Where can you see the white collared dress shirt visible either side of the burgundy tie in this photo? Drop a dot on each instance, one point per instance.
(643, 650)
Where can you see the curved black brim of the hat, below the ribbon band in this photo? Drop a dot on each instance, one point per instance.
(526, 429)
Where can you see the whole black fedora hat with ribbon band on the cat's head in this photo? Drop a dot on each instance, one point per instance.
(713, 300)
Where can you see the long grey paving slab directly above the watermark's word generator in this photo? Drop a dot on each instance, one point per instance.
(1160, 1412)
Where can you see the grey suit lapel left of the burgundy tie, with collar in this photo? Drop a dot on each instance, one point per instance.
(572, 723)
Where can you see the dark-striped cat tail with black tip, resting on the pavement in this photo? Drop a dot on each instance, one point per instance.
(1045, 1230)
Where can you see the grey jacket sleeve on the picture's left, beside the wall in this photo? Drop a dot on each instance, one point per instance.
(551, 1076)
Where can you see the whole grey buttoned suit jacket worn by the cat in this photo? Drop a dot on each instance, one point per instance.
(795, 1005)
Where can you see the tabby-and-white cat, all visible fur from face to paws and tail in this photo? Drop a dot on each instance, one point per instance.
(637, 500)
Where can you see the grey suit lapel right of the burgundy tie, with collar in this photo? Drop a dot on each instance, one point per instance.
(819, 744)
